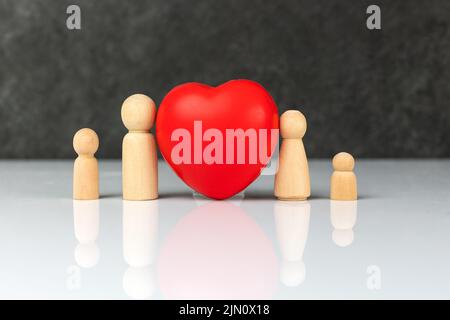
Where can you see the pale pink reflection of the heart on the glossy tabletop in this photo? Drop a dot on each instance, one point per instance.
(217, 252)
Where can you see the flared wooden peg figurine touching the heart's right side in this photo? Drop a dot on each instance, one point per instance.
(292, 178)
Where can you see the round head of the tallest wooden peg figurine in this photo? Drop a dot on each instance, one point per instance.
(138, 112)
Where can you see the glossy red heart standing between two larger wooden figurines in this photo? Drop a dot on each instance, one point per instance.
(237, 104)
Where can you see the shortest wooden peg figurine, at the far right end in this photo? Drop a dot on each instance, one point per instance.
(343, 179)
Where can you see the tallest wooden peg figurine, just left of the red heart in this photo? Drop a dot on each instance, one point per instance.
(139, 158)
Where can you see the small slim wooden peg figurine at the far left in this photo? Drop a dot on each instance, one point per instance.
(85, 170)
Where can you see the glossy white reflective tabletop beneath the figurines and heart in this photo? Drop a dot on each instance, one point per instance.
(394, 242)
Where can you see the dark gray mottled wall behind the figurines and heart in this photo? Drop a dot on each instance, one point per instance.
(373, 93)
